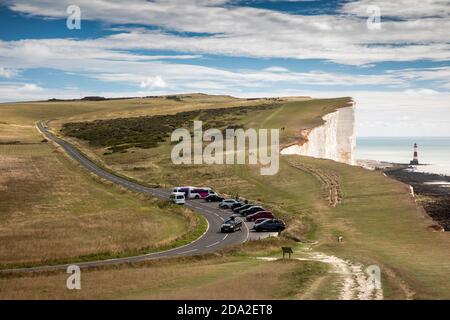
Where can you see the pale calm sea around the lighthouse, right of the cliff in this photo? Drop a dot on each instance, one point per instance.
(434, 152)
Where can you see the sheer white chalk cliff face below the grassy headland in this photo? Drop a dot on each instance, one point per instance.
(335, 139)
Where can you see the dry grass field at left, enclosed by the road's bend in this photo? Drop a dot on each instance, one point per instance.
(51, 210)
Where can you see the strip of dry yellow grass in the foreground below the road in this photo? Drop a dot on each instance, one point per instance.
(214, 278)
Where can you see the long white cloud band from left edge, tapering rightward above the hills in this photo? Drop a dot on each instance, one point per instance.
(99, 59)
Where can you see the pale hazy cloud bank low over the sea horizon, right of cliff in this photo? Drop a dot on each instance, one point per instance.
(383, 113)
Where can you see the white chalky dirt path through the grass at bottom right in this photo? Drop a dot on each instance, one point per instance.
(354, 281)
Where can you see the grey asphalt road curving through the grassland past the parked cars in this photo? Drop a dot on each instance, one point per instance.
(211, 240)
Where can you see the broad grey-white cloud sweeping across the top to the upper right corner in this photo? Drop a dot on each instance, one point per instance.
(259, 32)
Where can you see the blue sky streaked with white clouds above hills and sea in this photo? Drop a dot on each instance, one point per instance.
(398, 70)
